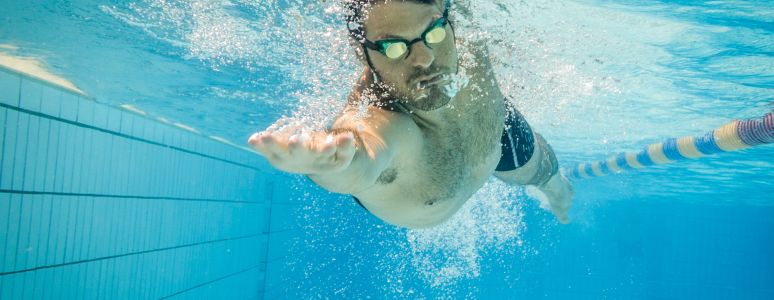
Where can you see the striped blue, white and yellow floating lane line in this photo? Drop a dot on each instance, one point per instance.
(733, 136)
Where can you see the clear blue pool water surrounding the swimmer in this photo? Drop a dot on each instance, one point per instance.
(596, 77)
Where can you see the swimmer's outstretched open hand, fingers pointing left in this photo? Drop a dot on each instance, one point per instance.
(306, 153)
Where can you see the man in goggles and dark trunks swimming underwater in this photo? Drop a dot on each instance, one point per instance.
(420, 150)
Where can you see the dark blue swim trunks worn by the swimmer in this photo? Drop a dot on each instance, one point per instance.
(517, 144)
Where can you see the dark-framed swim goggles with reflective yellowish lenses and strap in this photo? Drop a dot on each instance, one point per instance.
(398, 48)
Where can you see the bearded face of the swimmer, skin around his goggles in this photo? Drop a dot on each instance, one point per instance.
(413, 77)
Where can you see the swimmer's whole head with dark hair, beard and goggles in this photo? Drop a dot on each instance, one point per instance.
(407, 45)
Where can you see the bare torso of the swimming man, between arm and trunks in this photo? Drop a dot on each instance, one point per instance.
(461, 150)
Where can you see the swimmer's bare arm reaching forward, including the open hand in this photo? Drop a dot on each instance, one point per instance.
(346, 159)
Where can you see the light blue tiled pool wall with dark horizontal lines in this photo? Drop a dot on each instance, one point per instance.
(99, 202)
